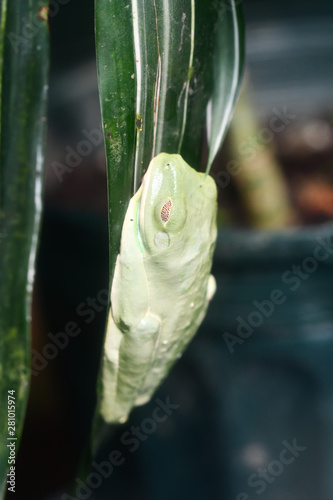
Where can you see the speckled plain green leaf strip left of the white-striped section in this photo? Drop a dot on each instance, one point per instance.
(116, 80)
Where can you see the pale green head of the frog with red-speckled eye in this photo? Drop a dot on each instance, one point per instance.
(177, 206)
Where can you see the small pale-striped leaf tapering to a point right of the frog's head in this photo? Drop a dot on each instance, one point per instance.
(228, 69)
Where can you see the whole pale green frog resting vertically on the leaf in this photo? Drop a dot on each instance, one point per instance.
(162, 282)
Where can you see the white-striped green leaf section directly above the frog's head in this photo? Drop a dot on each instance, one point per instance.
(164, 58)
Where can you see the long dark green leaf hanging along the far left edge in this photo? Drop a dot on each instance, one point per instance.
(24, 69)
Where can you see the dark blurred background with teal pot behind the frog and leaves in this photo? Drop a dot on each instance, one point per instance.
(253, 395)
